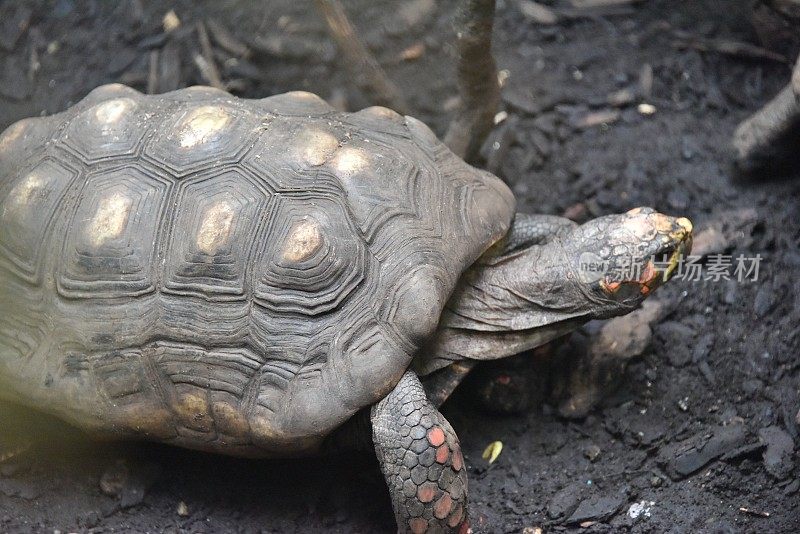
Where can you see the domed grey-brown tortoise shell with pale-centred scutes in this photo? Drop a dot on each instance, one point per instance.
(227, 274)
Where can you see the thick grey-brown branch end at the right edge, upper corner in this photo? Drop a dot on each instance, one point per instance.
(771, 133)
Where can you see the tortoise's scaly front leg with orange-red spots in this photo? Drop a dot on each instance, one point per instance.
(421, 460)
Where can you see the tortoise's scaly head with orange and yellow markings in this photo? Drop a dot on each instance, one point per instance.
(620, 259)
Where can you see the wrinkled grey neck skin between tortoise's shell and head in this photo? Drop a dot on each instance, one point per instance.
(508, 304)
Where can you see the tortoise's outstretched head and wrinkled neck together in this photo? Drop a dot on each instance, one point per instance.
(519, 298)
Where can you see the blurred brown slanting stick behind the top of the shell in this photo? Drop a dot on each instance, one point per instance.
(364, 67)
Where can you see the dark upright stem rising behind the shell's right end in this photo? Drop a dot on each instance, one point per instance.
(477, 78)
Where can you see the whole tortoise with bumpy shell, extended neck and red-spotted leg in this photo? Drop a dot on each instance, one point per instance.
(250, 277)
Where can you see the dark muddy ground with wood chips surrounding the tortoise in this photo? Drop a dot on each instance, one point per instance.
(699, 438)
